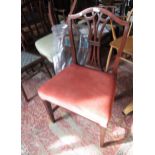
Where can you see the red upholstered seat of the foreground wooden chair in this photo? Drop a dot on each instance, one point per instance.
(85, 91)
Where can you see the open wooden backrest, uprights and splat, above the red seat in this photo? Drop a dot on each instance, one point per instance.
(96, 19)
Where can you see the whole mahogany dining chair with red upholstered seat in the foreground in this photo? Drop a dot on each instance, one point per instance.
(82, 90)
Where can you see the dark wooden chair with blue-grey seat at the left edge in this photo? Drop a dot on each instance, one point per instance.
(34, 24)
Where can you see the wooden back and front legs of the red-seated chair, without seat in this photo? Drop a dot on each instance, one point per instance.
(94, 41)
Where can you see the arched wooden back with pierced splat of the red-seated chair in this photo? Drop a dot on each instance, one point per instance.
(96, 19)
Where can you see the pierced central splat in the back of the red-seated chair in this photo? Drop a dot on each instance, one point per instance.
(96, 24)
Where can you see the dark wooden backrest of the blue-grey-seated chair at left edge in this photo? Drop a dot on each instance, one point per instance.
(34, 21)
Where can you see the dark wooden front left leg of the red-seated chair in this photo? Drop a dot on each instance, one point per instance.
(49, 110)
